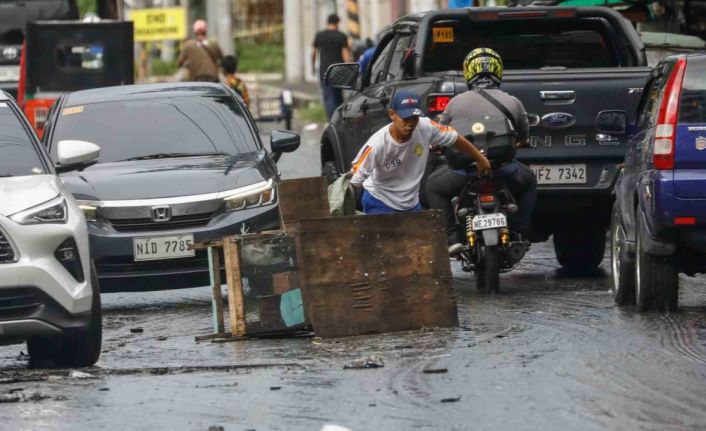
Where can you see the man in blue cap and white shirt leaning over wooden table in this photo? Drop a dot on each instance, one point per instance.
(391, 164)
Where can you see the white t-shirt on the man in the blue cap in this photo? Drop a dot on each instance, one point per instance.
(391, 171)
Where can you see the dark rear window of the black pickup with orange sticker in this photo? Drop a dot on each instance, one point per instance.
(532, 44)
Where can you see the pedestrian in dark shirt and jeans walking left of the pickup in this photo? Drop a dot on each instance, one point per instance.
(331, 46)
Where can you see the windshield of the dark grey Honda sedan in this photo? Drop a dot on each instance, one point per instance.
(147, 127)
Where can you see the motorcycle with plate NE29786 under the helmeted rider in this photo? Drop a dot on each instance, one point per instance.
(483, 208)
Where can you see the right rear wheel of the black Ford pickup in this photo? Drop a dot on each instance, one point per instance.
(579, 249)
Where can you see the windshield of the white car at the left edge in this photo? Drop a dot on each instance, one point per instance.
(18, 155)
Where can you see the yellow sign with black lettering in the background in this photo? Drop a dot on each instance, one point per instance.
(159, 24)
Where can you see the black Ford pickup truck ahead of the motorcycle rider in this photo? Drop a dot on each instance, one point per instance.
(565, 64)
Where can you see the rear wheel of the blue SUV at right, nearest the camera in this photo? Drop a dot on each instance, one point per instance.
(656, 279)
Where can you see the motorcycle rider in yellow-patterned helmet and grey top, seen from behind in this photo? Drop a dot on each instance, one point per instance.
(479, 110)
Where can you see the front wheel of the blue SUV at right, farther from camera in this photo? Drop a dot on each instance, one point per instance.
(622, 266)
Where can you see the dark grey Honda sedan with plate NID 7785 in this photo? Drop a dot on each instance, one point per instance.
(180, 163)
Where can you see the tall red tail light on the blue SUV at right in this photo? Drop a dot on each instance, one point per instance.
(663, 149)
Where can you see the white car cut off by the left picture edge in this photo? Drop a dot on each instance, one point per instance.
(49, 294)
